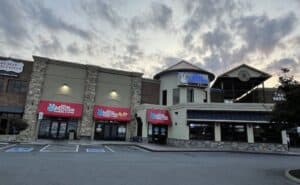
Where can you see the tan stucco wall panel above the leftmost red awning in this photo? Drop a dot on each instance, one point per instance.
(57, 76)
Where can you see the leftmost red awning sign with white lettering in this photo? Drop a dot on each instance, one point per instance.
(60, 109)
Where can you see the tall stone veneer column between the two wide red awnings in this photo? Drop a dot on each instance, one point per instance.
(88, 102)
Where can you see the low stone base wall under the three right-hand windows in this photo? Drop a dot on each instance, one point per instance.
(230, 146)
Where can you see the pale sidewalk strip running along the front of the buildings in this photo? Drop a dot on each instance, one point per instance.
(162, 148)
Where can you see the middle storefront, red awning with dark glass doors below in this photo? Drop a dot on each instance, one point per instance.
(111, 122)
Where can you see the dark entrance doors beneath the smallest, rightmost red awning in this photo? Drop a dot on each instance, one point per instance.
(160, 134)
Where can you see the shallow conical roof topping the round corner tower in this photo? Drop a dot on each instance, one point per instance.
(184, 66)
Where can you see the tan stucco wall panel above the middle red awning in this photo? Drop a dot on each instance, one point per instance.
(106, 83)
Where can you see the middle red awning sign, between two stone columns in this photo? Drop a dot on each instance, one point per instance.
(111, 113)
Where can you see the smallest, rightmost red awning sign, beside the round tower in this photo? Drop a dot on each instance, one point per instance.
(158, 116)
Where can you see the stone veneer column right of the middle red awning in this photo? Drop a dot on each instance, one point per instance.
(136, 88)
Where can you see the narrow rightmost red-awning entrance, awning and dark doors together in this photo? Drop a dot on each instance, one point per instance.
(158, 122)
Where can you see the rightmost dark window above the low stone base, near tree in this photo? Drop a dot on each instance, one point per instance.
(266, 133)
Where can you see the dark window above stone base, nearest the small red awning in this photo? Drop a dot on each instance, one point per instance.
(201, 131)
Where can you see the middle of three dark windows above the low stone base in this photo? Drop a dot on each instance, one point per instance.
(234, 132)
